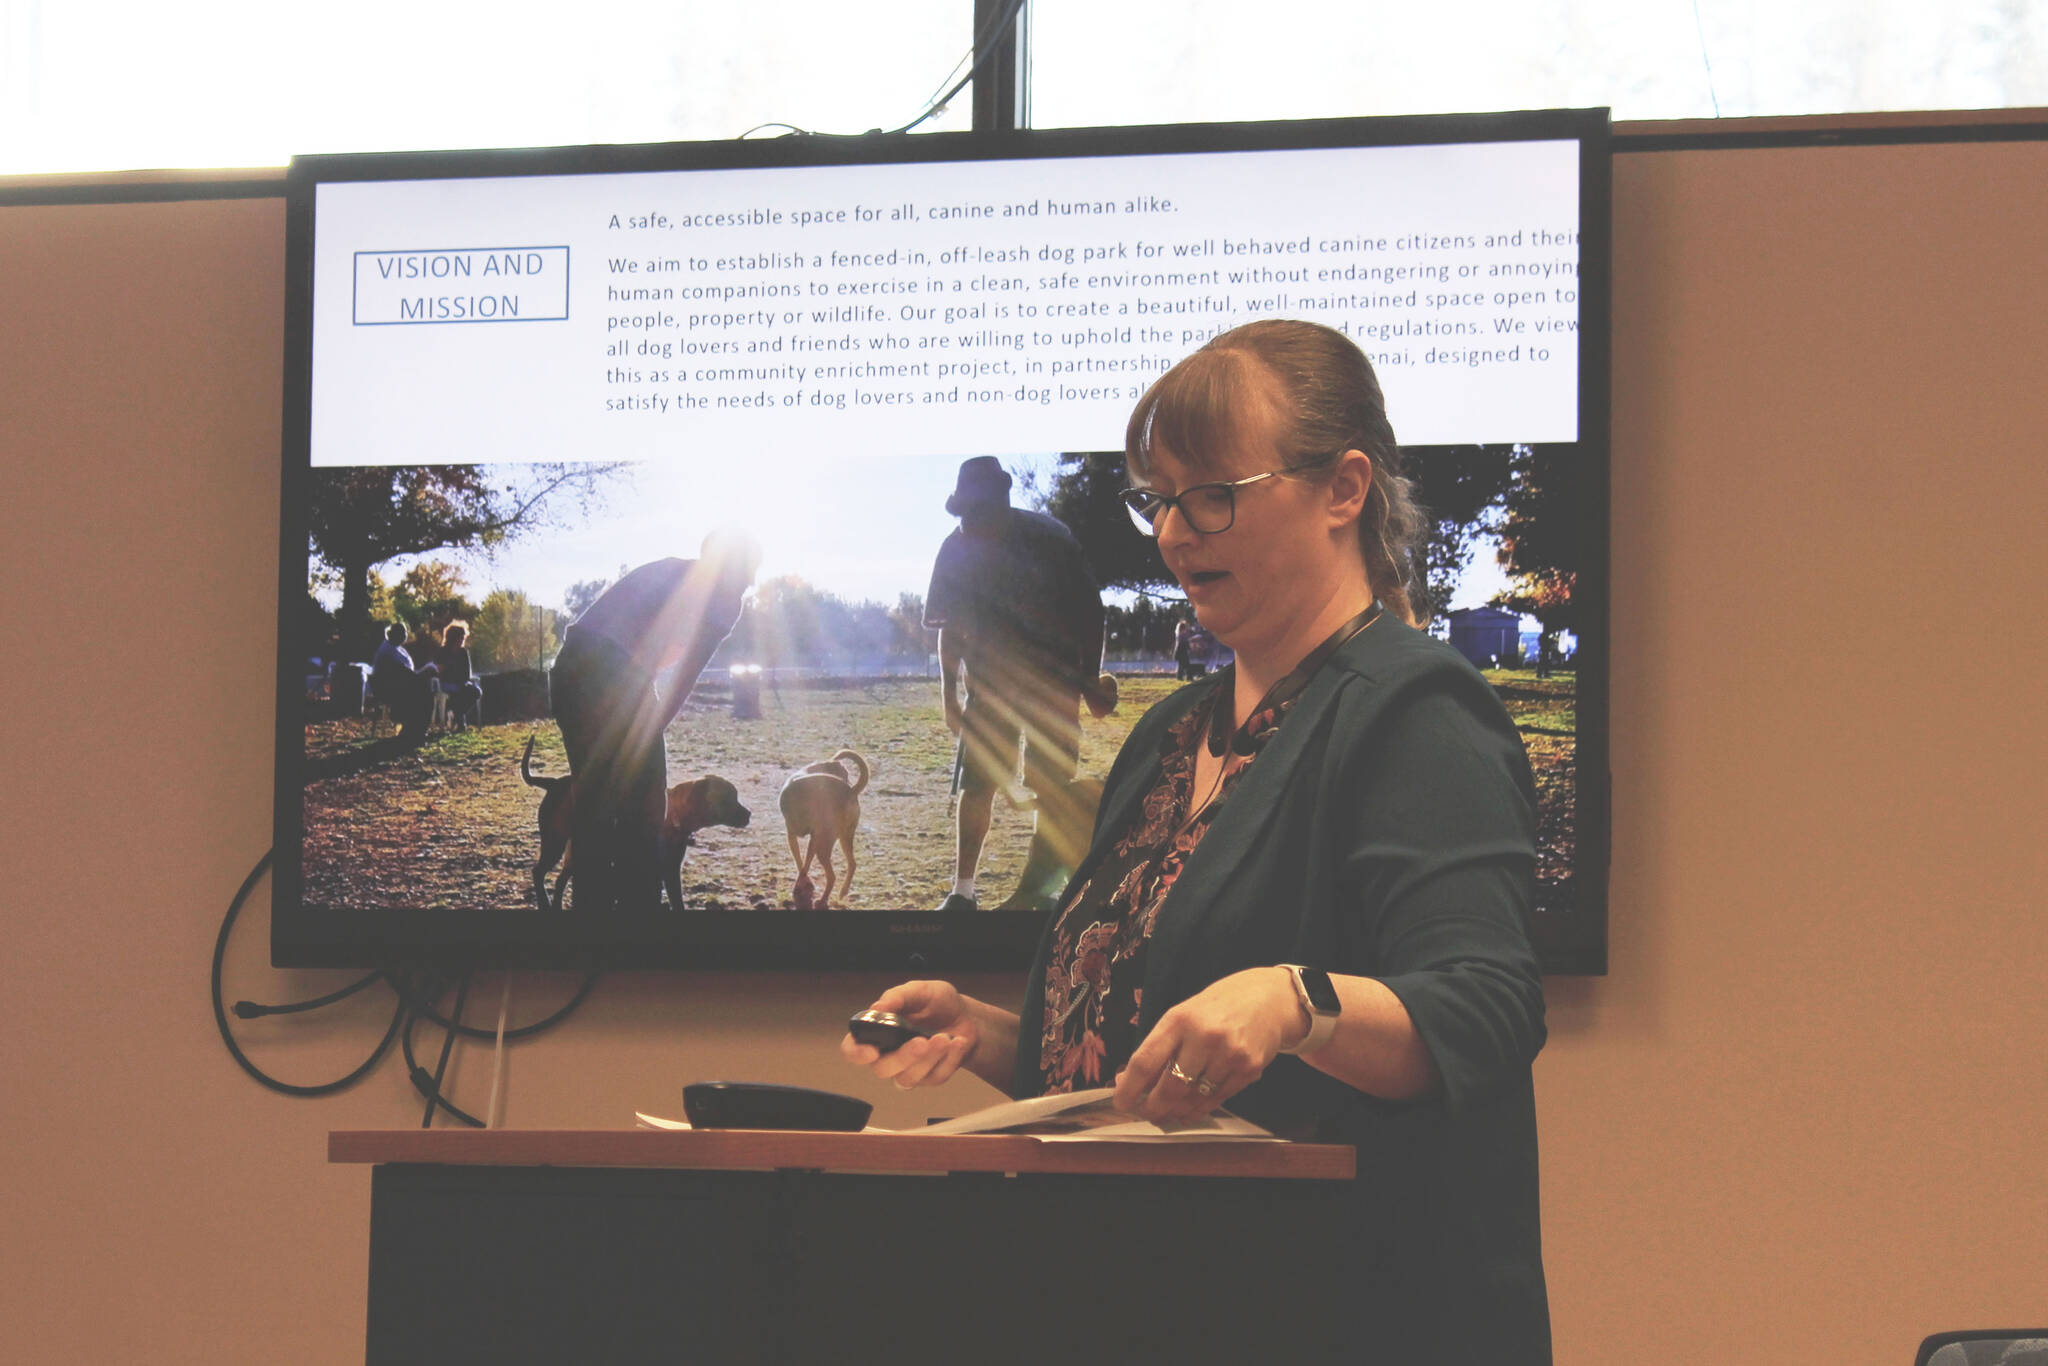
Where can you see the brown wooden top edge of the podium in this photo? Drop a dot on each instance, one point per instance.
(773, 1150)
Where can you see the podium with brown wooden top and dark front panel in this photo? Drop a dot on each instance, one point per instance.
(826, 1248)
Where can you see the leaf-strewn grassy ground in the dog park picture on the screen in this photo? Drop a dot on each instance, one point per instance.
(454, 826)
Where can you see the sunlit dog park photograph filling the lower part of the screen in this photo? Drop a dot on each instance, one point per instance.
(751, 673)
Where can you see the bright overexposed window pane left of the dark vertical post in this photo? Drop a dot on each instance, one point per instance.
(112, 85)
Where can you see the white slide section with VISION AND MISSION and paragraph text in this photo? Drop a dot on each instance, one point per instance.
(927, 310)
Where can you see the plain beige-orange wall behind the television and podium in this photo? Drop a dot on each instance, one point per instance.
(1805, 1119)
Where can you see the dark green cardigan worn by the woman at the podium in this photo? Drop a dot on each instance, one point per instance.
(1388, 830)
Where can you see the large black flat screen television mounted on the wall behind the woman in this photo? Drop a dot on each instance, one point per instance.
(517, 378)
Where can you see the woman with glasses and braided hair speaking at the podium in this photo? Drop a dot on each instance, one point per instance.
(1312, 871)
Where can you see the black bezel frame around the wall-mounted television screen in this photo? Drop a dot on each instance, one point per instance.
(908, 941)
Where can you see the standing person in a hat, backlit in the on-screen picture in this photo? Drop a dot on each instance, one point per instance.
(1019, 613)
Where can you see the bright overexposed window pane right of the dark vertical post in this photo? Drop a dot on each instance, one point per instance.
(1197, 60)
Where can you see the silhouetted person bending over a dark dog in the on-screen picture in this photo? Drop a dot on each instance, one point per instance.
(626, 669)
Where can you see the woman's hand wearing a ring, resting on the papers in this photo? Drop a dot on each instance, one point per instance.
(1211, 1048)
